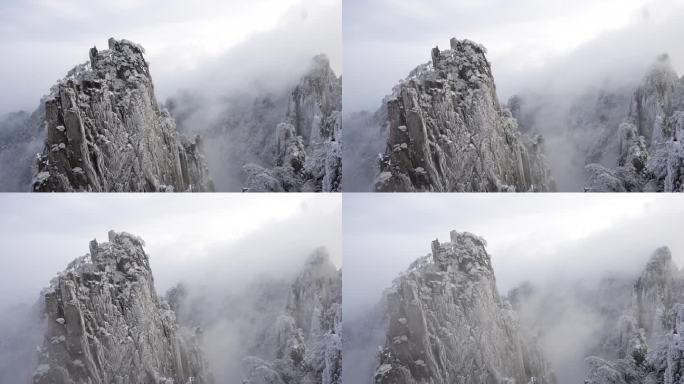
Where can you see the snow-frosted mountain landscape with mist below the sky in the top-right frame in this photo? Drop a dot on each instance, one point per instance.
(457, 136)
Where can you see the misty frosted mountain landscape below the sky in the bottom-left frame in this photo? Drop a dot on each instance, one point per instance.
(101, 320)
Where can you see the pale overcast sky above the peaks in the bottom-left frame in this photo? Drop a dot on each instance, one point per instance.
(199, 238)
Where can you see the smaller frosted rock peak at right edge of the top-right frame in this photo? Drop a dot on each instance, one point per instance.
(650, 153)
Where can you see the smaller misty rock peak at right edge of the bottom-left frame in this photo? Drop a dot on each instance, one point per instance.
(306, 337)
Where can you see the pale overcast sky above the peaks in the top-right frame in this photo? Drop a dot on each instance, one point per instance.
(531, 43)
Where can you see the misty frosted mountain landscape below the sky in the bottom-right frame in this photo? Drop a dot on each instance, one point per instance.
(443, 320)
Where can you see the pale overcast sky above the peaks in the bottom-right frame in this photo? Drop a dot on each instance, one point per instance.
(531, 237)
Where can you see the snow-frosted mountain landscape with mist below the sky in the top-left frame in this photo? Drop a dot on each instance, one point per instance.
(101, 129)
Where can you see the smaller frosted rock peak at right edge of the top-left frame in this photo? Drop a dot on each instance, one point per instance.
(308, 154)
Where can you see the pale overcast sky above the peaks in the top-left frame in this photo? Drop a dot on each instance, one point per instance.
(42, 39)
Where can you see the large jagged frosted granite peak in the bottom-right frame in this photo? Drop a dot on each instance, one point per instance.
(448, 324)
